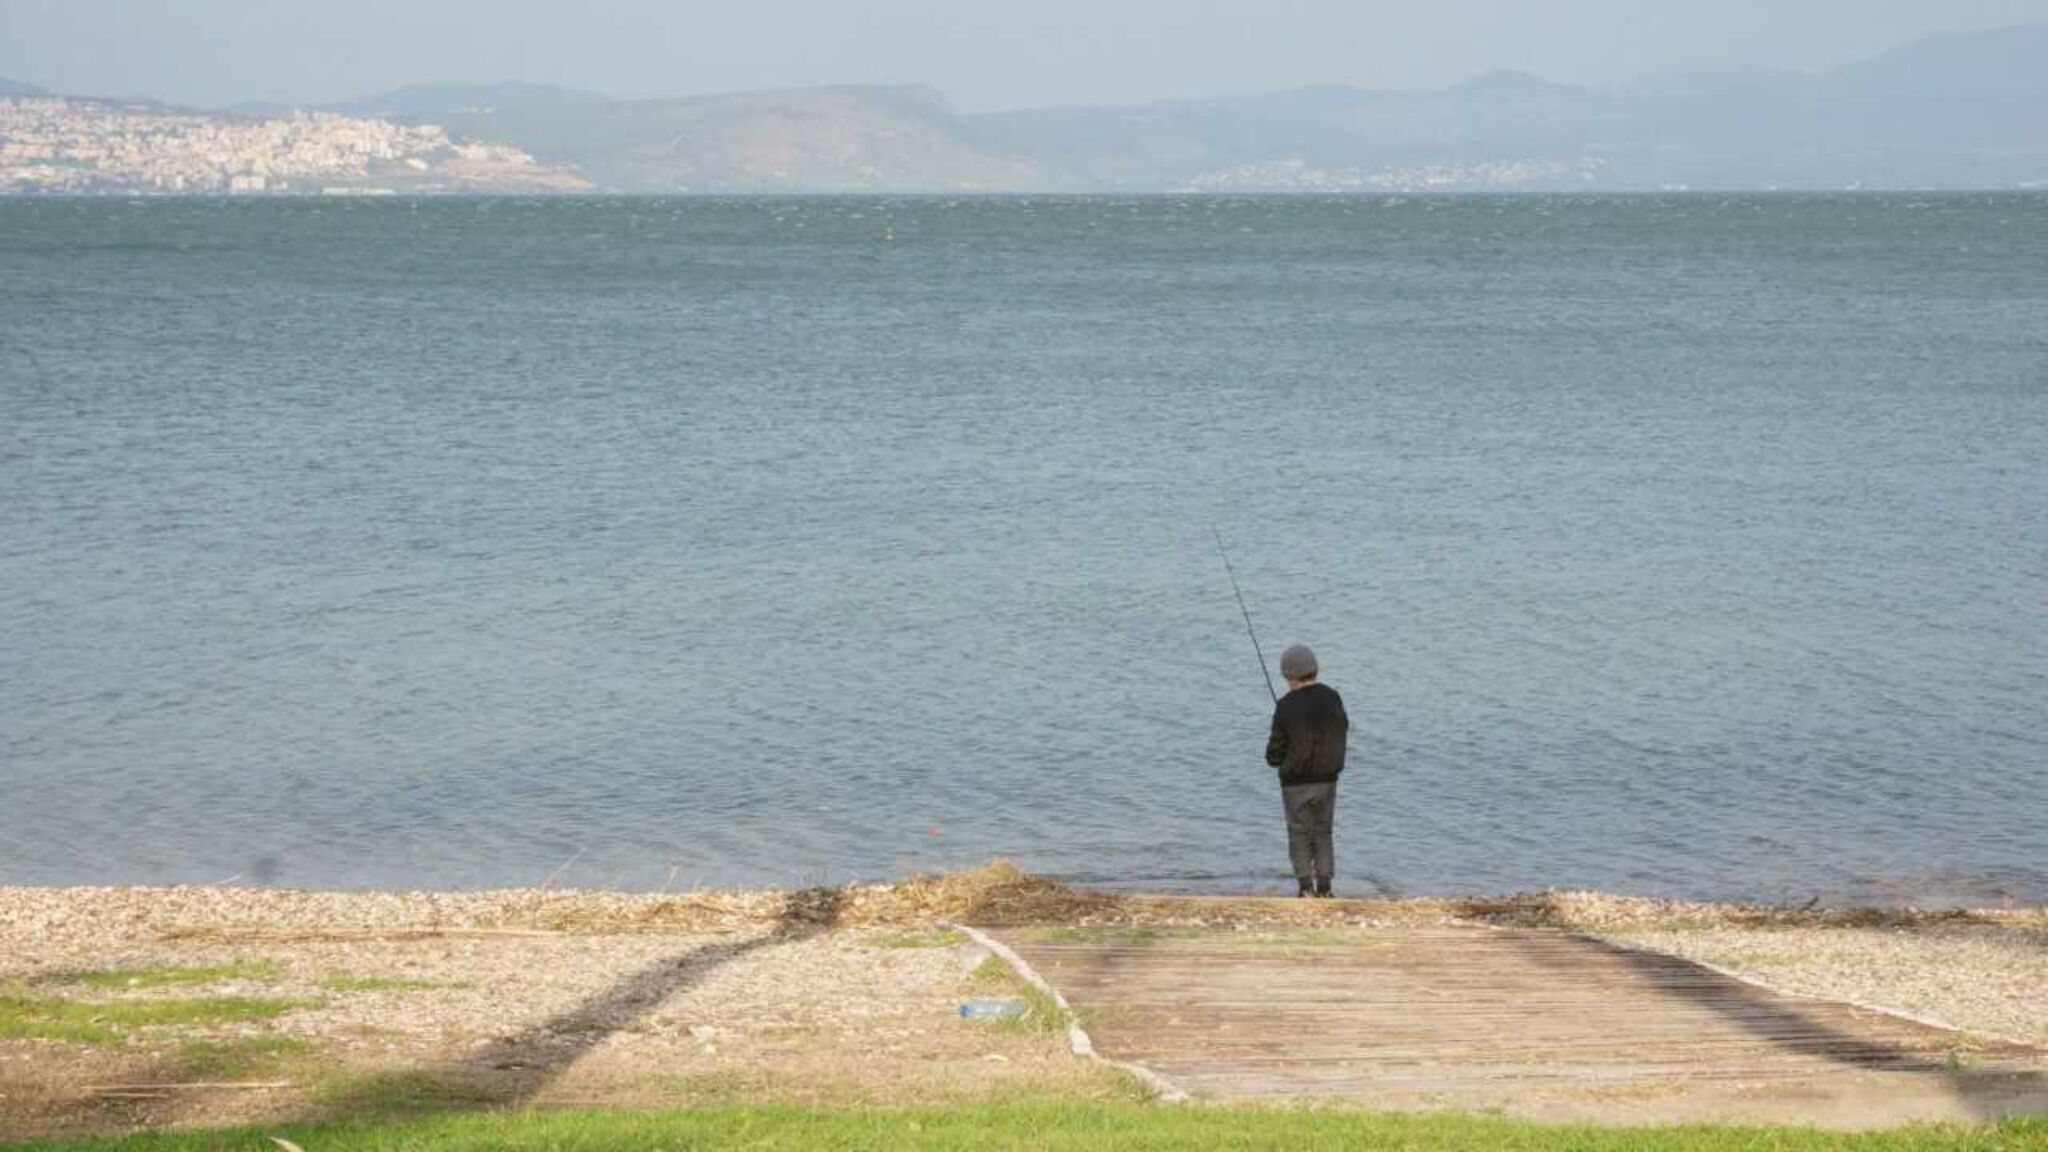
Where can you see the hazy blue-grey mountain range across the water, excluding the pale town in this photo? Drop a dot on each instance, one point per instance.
(1967, 112)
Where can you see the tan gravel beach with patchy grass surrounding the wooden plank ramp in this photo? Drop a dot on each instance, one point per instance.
(540, 997)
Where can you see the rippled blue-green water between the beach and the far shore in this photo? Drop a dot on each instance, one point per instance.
(1689, 546)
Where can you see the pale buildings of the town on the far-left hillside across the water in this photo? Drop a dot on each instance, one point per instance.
(67, 147)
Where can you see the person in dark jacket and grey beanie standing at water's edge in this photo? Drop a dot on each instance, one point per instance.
(1308, 749)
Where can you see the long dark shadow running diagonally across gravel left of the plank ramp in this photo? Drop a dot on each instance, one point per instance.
(515, 1069)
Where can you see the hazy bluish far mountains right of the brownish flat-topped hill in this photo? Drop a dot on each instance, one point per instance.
(1949, 112)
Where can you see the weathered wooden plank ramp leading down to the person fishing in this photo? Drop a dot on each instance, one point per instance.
(1533, 1022)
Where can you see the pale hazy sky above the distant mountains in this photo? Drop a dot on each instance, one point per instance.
(982, 54)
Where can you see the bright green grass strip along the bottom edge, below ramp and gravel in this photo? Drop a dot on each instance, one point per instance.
(1050, 1128)
